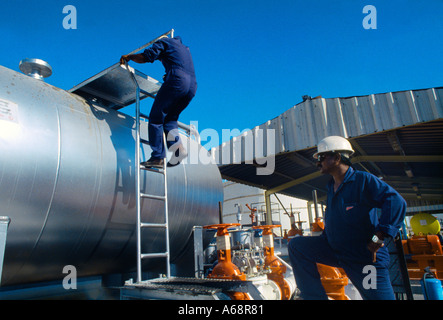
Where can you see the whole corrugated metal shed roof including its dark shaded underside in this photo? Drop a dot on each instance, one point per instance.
(397, 136)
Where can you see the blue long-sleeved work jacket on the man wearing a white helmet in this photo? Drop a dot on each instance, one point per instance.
(351, 216)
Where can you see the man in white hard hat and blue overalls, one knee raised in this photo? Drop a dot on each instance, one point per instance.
(354, 233)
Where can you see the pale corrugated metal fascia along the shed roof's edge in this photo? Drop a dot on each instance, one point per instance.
(306, 123)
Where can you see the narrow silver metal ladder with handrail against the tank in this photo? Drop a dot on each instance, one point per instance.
(139, 195)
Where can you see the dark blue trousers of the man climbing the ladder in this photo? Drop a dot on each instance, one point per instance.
(173, 97)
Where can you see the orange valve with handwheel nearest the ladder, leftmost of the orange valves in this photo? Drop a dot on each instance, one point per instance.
(225, 269)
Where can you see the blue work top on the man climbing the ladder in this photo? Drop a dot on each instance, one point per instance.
(172, 53)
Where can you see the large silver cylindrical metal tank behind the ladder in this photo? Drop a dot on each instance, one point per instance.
(67, 170)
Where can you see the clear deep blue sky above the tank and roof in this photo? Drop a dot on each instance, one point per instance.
(254, 59)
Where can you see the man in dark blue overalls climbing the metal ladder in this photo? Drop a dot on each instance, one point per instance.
(175, 94)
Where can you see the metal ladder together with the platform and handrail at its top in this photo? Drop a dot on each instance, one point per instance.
(120, 86)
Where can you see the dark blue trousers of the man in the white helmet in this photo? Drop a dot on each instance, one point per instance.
(305, 252)
